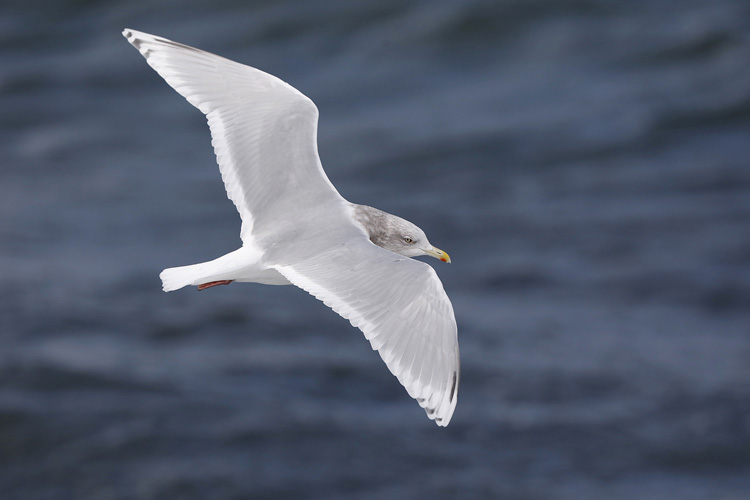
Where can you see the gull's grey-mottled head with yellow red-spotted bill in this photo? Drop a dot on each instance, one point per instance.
(396, 234)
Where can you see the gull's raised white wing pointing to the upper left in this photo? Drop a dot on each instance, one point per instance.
(264, 132)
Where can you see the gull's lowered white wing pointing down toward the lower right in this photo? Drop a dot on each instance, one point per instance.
(401, 307)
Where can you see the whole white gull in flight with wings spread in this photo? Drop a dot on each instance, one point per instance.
(297, 229)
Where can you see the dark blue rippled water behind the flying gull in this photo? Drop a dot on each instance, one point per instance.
(585, 163)
